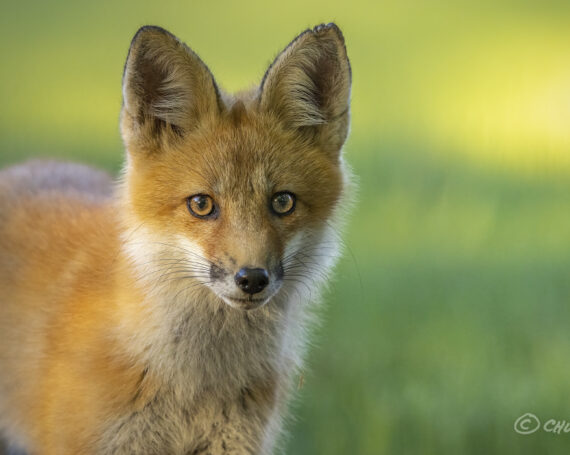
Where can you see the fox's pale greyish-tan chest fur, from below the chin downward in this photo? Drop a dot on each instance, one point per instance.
(216, 390)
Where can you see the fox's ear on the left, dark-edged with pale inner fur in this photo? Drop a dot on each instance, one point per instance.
(167, 89)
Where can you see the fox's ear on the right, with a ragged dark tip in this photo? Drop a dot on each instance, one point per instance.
(308, 86)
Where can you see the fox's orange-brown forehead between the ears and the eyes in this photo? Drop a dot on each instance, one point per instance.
(247, 161)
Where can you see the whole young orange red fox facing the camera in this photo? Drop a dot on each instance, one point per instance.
(168, 311)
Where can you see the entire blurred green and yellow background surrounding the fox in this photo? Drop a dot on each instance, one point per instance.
(448, 317)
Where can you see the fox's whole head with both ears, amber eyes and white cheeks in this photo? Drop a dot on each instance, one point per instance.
(234, 194)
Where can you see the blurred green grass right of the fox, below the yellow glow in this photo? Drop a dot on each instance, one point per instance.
(461, 324)
